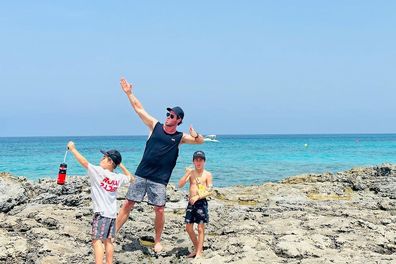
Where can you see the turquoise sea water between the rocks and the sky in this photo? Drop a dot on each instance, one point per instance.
(245, 159)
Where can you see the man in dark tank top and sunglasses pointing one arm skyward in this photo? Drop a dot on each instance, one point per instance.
(156, 166)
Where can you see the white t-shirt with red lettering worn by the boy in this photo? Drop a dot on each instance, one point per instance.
(104, 185)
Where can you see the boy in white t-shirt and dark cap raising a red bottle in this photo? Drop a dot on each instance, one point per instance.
(104, 185)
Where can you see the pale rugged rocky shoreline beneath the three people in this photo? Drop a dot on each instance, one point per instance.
(346, 217)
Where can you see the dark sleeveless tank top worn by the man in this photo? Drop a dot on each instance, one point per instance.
(160, 155)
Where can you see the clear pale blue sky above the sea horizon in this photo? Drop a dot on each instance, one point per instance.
(236, 67)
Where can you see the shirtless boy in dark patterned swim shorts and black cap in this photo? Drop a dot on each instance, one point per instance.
(197, 208)
